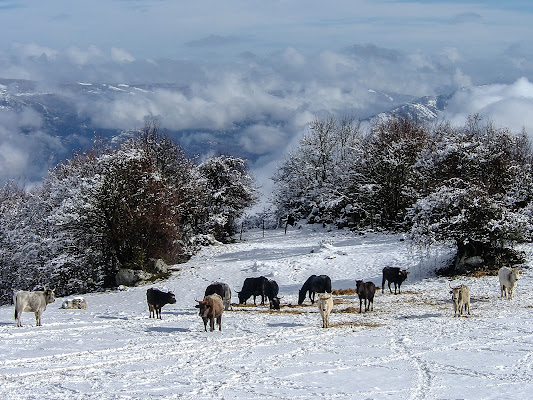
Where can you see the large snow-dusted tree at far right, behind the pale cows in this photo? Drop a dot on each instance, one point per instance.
(471, 191)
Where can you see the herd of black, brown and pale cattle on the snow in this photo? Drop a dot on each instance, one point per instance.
(217, 296)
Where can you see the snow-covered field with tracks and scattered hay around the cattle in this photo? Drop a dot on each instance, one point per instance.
(409, 347)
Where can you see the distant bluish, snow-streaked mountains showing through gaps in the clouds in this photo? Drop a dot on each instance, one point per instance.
(59, 114)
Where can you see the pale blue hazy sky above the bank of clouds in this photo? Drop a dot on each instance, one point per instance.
(222, 30)
